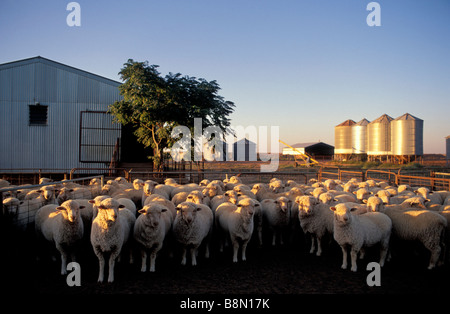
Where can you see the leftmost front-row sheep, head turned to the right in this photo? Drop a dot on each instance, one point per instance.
(63, 226)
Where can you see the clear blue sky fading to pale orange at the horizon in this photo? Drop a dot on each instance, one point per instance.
(303, 66)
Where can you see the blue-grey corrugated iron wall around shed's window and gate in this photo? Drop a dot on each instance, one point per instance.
(66, 91)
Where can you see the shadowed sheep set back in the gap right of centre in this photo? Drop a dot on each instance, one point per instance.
(276, 213)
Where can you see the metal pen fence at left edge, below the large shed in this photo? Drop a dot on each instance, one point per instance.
(22, 215)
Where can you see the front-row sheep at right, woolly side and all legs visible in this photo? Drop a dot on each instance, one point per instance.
(355, 232)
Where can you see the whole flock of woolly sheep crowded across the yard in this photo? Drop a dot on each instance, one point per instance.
(120, 217)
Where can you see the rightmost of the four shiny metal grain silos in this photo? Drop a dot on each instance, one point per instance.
(407, 136)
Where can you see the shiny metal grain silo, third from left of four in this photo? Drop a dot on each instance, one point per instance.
(379, 137)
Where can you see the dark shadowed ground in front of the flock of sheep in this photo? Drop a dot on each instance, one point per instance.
(286, 269)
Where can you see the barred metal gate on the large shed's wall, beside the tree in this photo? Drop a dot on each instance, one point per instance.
(99, 137)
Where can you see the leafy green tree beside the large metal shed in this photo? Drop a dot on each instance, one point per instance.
(155, 104)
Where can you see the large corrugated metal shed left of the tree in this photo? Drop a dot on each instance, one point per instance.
(53, 116)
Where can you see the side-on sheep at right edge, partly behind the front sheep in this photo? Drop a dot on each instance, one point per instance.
(422, 225)
